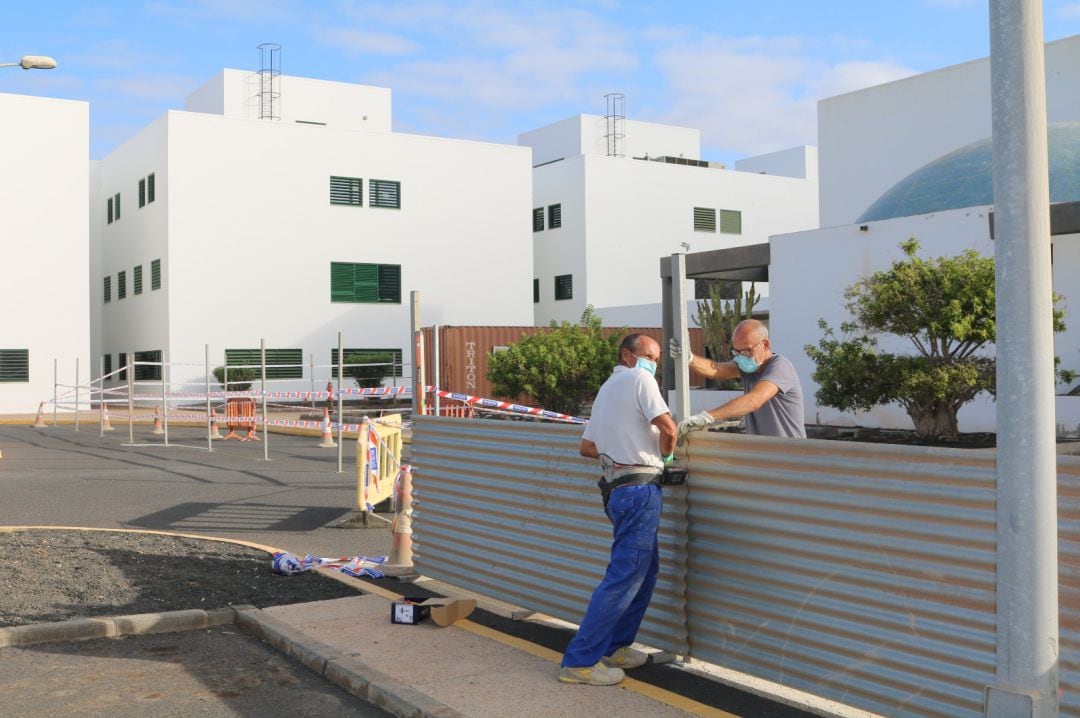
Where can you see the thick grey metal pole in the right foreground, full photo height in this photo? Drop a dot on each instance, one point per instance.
(1028, 635)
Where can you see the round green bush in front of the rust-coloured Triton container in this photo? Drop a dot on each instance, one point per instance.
(561, 369)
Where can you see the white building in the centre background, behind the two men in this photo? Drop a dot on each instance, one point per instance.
(601, 223)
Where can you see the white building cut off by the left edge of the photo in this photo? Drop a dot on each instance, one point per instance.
(45, 185)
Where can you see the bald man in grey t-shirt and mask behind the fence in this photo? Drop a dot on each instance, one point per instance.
(773, 395)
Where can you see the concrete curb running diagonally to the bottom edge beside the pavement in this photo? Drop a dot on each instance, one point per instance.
(346, 671)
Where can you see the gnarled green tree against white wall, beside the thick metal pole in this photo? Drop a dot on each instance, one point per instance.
(947, 308)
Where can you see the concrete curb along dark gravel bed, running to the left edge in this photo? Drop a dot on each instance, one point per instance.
(139, 625)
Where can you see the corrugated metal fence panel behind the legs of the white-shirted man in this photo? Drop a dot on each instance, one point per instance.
(510, 510)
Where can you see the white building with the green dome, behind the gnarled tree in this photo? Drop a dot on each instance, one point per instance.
(909, 159)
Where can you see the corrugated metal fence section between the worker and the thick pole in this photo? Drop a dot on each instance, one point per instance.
(860, 573)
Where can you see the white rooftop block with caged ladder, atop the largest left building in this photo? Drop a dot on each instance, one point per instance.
(236, 94)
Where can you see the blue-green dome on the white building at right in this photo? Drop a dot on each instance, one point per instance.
(963, 179)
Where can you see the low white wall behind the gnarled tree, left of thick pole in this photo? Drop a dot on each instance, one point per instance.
(811, 272)
